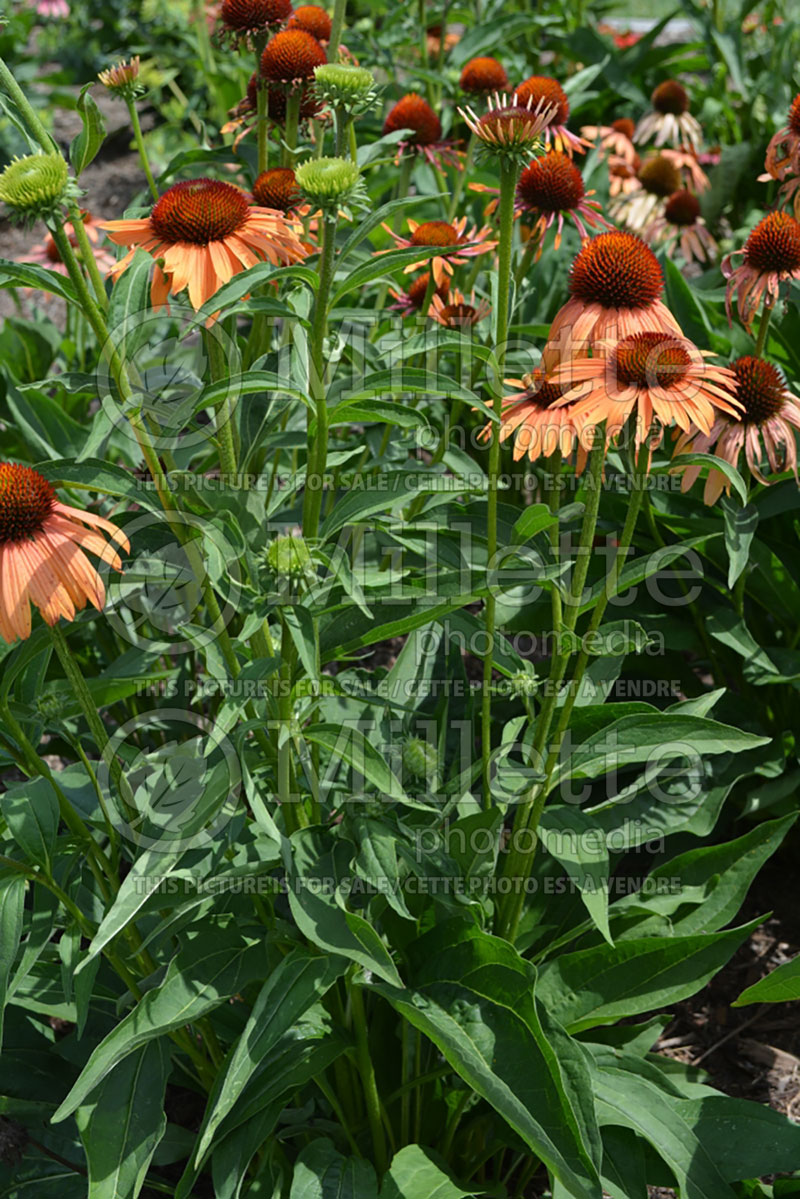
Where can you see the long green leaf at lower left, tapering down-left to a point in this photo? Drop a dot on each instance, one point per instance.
(206, 974)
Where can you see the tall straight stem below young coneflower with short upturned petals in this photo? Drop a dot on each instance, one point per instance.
(508, 189)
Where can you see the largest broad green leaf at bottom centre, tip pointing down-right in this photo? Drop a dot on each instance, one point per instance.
(474, 998)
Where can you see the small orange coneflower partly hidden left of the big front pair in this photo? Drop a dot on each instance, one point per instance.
(539, 424)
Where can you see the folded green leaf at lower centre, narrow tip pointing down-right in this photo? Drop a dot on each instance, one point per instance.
(317, 875)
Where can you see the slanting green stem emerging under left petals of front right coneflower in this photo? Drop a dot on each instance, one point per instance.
(520, 861)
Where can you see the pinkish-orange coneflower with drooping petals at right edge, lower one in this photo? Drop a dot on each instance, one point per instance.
(771, 415)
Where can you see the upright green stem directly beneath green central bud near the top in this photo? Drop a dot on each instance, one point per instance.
(318, 445)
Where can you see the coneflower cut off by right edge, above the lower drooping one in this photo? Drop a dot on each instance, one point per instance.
(772, 256)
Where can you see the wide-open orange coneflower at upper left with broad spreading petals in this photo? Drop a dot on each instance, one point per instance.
(204, 232)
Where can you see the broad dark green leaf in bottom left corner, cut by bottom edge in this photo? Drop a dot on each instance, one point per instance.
(123, 1124)
